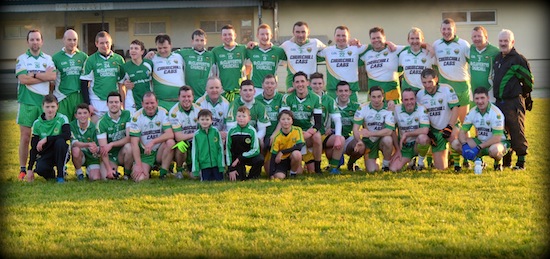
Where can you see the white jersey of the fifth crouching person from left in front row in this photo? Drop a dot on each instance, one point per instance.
(184, 121)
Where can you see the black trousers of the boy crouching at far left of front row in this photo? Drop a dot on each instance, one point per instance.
(55, 155)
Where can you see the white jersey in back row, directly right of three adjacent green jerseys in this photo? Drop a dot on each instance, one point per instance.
(302, 58)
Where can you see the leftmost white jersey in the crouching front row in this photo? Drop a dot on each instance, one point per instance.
(149, 128)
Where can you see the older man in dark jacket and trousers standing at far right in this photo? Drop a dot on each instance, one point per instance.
(512, 85)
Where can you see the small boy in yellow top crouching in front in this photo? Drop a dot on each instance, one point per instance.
(286, 151)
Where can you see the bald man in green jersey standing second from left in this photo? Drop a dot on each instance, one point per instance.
(69, 61)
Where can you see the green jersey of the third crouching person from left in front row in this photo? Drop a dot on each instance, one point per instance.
(113, 130)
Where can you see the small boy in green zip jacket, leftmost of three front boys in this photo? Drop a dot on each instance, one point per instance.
(207, 149)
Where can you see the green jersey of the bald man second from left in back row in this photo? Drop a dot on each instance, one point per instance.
(69, 67)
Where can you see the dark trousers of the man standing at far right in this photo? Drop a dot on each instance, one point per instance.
(514, 122)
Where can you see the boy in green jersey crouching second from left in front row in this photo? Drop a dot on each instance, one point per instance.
(84, 145)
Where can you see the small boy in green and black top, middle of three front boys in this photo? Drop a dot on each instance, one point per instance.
(243, 148)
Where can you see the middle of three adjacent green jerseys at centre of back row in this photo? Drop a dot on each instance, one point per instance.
(230, 63)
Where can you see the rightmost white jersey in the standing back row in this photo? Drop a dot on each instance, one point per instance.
(452, 59)
